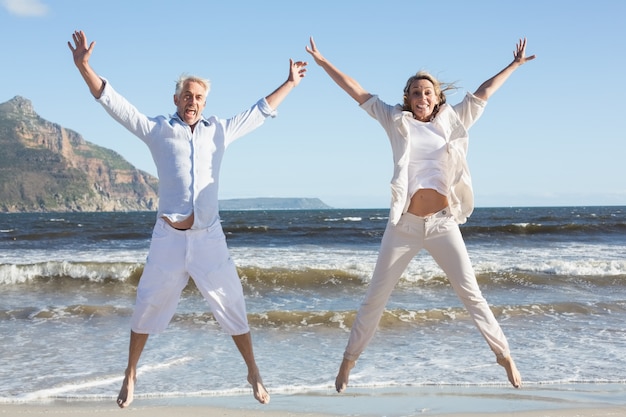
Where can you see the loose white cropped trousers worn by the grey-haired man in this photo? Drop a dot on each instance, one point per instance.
(174, 256)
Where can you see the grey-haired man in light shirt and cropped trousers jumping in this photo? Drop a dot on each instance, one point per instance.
(187, 239)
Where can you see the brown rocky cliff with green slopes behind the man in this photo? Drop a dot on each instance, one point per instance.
(47, 168)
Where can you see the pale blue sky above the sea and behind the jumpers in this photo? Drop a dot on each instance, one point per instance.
(549, 136)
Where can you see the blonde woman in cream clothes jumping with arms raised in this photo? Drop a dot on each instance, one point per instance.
(431, 196)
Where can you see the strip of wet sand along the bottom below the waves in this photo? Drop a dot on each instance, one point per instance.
(579, 400)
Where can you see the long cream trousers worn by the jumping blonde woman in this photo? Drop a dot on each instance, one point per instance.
(440, 235)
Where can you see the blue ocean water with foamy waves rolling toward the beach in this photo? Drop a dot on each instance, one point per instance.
(555, 278)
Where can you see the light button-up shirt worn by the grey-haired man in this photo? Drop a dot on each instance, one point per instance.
(187, 163)
